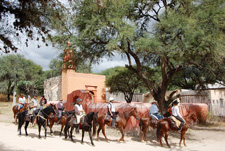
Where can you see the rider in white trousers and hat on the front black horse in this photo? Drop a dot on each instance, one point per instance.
(79, 110)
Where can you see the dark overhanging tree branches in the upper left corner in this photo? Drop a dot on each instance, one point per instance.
(26, 17)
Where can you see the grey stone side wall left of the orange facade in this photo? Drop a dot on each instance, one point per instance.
(53, 88)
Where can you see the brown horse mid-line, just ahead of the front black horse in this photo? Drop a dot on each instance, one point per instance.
(121, 124)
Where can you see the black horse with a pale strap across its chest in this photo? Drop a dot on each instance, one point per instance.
(43, 116)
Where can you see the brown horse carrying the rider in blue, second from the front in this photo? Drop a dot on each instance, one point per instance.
(144, 123)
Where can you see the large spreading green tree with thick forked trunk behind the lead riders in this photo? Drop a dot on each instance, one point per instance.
(169, 35)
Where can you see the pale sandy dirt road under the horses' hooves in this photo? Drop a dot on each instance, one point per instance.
(197, 140)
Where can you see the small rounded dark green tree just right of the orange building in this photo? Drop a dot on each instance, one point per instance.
(125, 81)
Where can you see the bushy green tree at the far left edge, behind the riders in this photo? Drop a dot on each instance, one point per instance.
(16, 71)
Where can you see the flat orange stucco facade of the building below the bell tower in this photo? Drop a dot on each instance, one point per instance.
(72, 81)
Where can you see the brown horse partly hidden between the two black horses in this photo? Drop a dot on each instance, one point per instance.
(54, 118)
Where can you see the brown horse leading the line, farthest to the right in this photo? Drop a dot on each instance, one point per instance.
(165, 125)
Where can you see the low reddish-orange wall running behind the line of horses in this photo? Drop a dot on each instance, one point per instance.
(200, 109)
